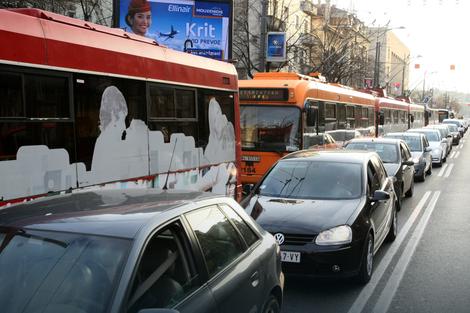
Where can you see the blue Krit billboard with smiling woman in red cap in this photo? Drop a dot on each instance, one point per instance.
(196, 27)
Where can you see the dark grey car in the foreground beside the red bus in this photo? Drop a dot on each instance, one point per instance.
(128, 251)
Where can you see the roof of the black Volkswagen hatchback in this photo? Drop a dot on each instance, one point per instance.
(347, 156)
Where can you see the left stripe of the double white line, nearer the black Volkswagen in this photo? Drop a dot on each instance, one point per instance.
(369, 289)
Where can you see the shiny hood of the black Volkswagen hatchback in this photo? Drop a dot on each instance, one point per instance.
(301, 216)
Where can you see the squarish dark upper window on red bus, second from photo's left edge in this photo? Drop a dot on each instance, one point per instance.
(47, 96)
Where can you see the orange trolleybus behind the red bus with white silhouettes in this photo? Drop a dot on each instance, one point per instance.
(278, 111)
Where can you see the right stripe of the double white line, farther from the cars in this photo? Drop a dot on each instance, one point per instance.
(391, 287)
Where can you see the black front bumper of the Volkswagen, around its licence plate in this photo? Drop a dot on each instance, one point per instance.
(319, 261)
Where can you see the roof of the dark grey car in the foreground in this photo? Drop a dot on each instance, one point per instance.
(119, 213)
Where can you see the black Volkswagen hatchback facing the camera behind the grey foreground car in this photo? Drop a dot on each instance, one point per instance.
(330, 211)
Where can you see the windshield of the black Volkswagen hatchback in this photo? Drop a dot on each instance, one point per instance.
(313, 180)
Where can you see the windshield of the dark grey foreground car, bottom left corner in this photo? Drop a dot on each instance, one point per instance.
(51, 272)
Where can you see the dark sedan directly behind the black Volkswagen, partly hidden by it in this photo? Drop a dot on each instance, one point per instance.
(397, 160)
